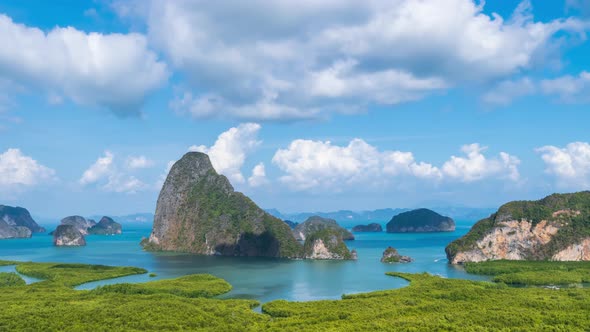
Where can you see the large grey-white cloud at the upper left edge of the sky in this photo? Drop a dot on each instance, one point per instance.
(115, 70)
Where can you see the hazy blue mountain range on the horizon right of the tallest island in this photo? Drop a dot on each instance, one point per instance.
(351, 218)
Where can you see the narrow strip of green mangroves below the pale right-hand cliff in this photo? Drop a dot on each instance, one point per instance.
(533, 272)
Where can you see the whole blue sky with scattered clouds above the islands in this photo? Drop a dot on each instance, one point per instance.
(304, 106)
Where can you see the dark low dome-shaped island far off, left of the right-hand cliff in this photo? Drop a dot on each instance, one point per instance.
(420, 221)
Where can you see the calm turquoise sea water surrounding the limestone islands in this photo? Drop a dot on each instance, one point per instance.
(256, 278)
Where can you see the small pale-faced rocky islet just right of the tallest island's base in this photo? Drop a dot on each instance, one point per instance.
(327, 244)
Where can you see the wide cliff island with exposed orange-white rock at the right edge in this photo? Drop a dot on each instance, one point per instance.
(554, 228)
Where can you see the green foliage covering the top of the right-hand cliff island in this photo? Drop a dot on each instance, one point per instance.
(574, 222)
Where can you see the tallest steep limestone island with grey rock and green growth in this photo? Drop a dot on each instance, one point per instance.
(199, 212)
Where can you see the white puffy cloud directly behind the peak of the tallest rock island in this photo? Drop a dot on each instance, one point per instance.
(230, 150)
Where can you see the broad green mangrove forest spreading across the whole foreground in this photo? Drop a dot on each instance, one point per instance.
(429, 303)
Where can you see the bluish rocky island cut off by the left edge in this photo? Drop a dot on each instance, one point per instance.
(16, 222)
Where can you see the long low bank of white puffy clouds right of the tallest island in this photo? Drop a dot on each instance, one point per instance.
(311, 164)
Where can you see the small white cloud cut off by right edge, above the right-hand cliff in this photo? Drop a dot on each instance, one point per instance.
(570, 165)
